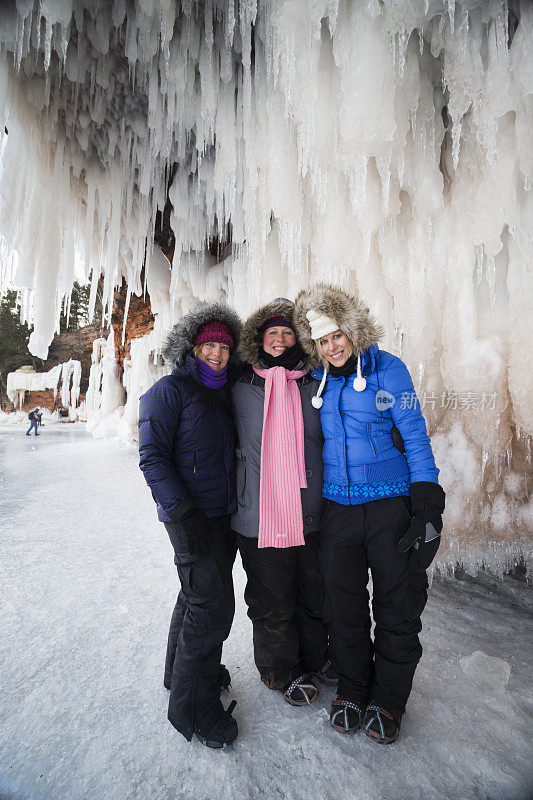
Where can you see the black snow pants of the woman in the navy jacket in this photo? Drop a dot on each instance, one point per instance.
(200, 623)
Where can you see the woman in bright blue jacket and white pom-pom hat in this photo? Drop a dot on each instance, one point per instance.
(382, 510)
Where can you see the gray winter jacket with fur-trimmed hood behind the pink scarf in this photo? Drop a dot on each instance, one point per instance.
(248, 395)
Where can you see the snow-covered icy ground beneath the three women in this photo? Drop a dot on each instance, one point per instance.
(88, 585)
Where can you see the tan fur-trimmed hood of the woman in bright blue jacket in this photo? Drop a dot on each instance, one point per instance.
(350, 313)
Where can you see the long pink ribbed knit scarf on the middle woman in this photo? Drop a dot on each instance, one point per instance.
(282, 460)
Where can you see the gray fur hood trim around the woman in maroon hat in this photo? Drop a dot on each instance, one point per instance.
(180, 340)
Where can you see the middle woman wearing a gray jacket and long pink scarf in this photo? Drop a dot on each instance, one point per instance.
(279, 486)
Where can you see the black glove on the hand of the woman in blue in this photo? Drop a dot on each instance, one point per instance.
(423, 534)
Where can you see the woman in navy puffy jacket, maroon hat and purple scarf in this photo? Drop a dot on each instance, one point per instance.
(187, 455)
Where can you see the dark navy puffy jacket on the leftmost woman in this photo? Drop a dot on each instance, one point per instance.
(186, 447)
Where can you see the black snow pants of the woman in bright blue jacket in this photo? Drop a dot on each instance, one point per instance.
(352, 540)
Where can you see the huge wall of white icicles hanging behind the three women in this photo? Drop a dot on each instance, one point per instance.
(385, 146)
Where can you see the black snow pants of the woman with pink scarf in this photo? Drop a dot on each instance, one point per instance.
(284, 595)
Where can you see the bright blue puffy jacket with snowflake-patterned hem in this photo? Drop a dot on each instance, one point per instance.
(358, 446)
